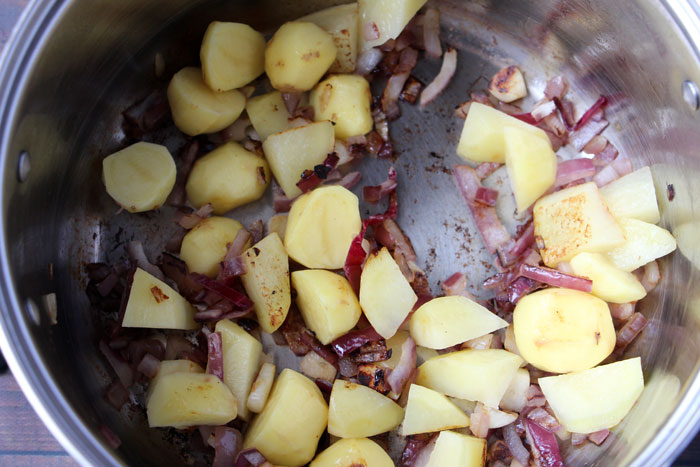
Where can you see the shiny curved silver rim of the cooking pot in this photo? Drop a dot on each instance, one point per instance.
(35, 23)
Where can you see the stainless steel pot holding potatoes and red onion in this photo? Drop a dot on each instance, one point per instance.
(72, 66)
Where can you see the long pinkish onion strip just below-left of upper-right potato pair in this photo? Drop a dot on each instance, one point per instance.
(490, 227)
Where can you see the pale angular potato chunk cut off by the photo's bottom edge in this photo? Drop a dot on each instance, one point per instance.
(457, 450)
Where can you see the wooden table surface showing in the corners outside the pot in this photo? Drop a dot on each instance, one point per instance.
(24, 441)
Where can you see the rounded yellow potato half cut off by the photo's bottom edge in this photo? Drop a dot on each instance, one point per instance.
(353, 452)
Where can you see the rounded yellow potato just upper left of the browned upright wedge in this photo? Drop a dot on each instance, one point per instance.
(205, 246)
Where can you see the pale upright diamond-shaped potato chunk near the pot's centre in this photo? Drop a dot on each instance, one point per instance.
(386, 296)
